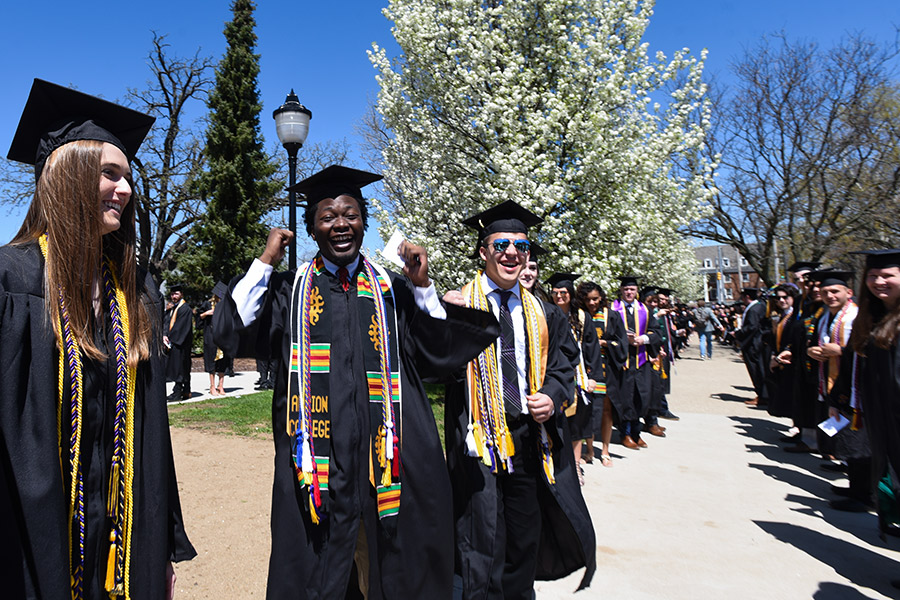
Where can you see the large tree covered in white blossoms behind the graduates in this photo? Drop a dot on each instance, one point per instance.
(554, 104)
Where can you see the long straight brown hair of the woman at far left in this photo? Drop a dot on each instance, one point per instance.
(66, 206)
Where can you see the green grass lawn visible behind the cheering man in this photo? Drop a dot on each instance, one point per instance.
(251, 414)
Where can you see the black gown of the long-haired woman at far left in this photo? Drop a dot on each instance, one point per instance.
(34, 497)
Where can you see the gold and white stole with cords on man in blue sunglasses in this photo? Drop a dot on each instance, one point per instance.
(488, 436)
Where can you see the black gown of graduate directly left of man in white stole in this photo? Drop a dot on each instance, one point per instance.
(806, 408)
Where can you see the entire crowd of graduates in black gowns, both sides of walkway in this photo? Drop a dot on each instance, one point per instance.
(365, 502)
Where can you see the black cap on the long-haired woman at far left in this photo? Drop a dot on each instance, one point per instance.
(55, 115)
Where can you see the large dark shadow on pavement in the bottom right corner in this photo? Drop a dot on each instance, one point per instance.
(862, 567)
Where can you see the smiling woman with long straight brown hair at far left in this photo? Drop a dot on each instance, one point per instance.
(88, 497)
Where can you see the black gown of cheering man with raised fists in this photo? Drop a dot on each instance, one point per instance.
(315, 561)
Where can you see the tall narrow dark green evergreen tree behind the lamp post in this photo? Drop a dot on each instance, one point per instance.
(239, 184)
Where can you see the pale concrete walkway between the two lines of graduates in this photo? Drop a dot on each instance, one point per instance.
(718, 510)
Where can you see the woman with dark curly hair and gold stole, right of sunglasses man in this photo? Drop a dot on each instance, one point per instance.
(613, 342)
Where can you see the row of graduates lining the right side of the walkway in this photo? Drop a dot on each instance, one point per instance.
(822, 352)
